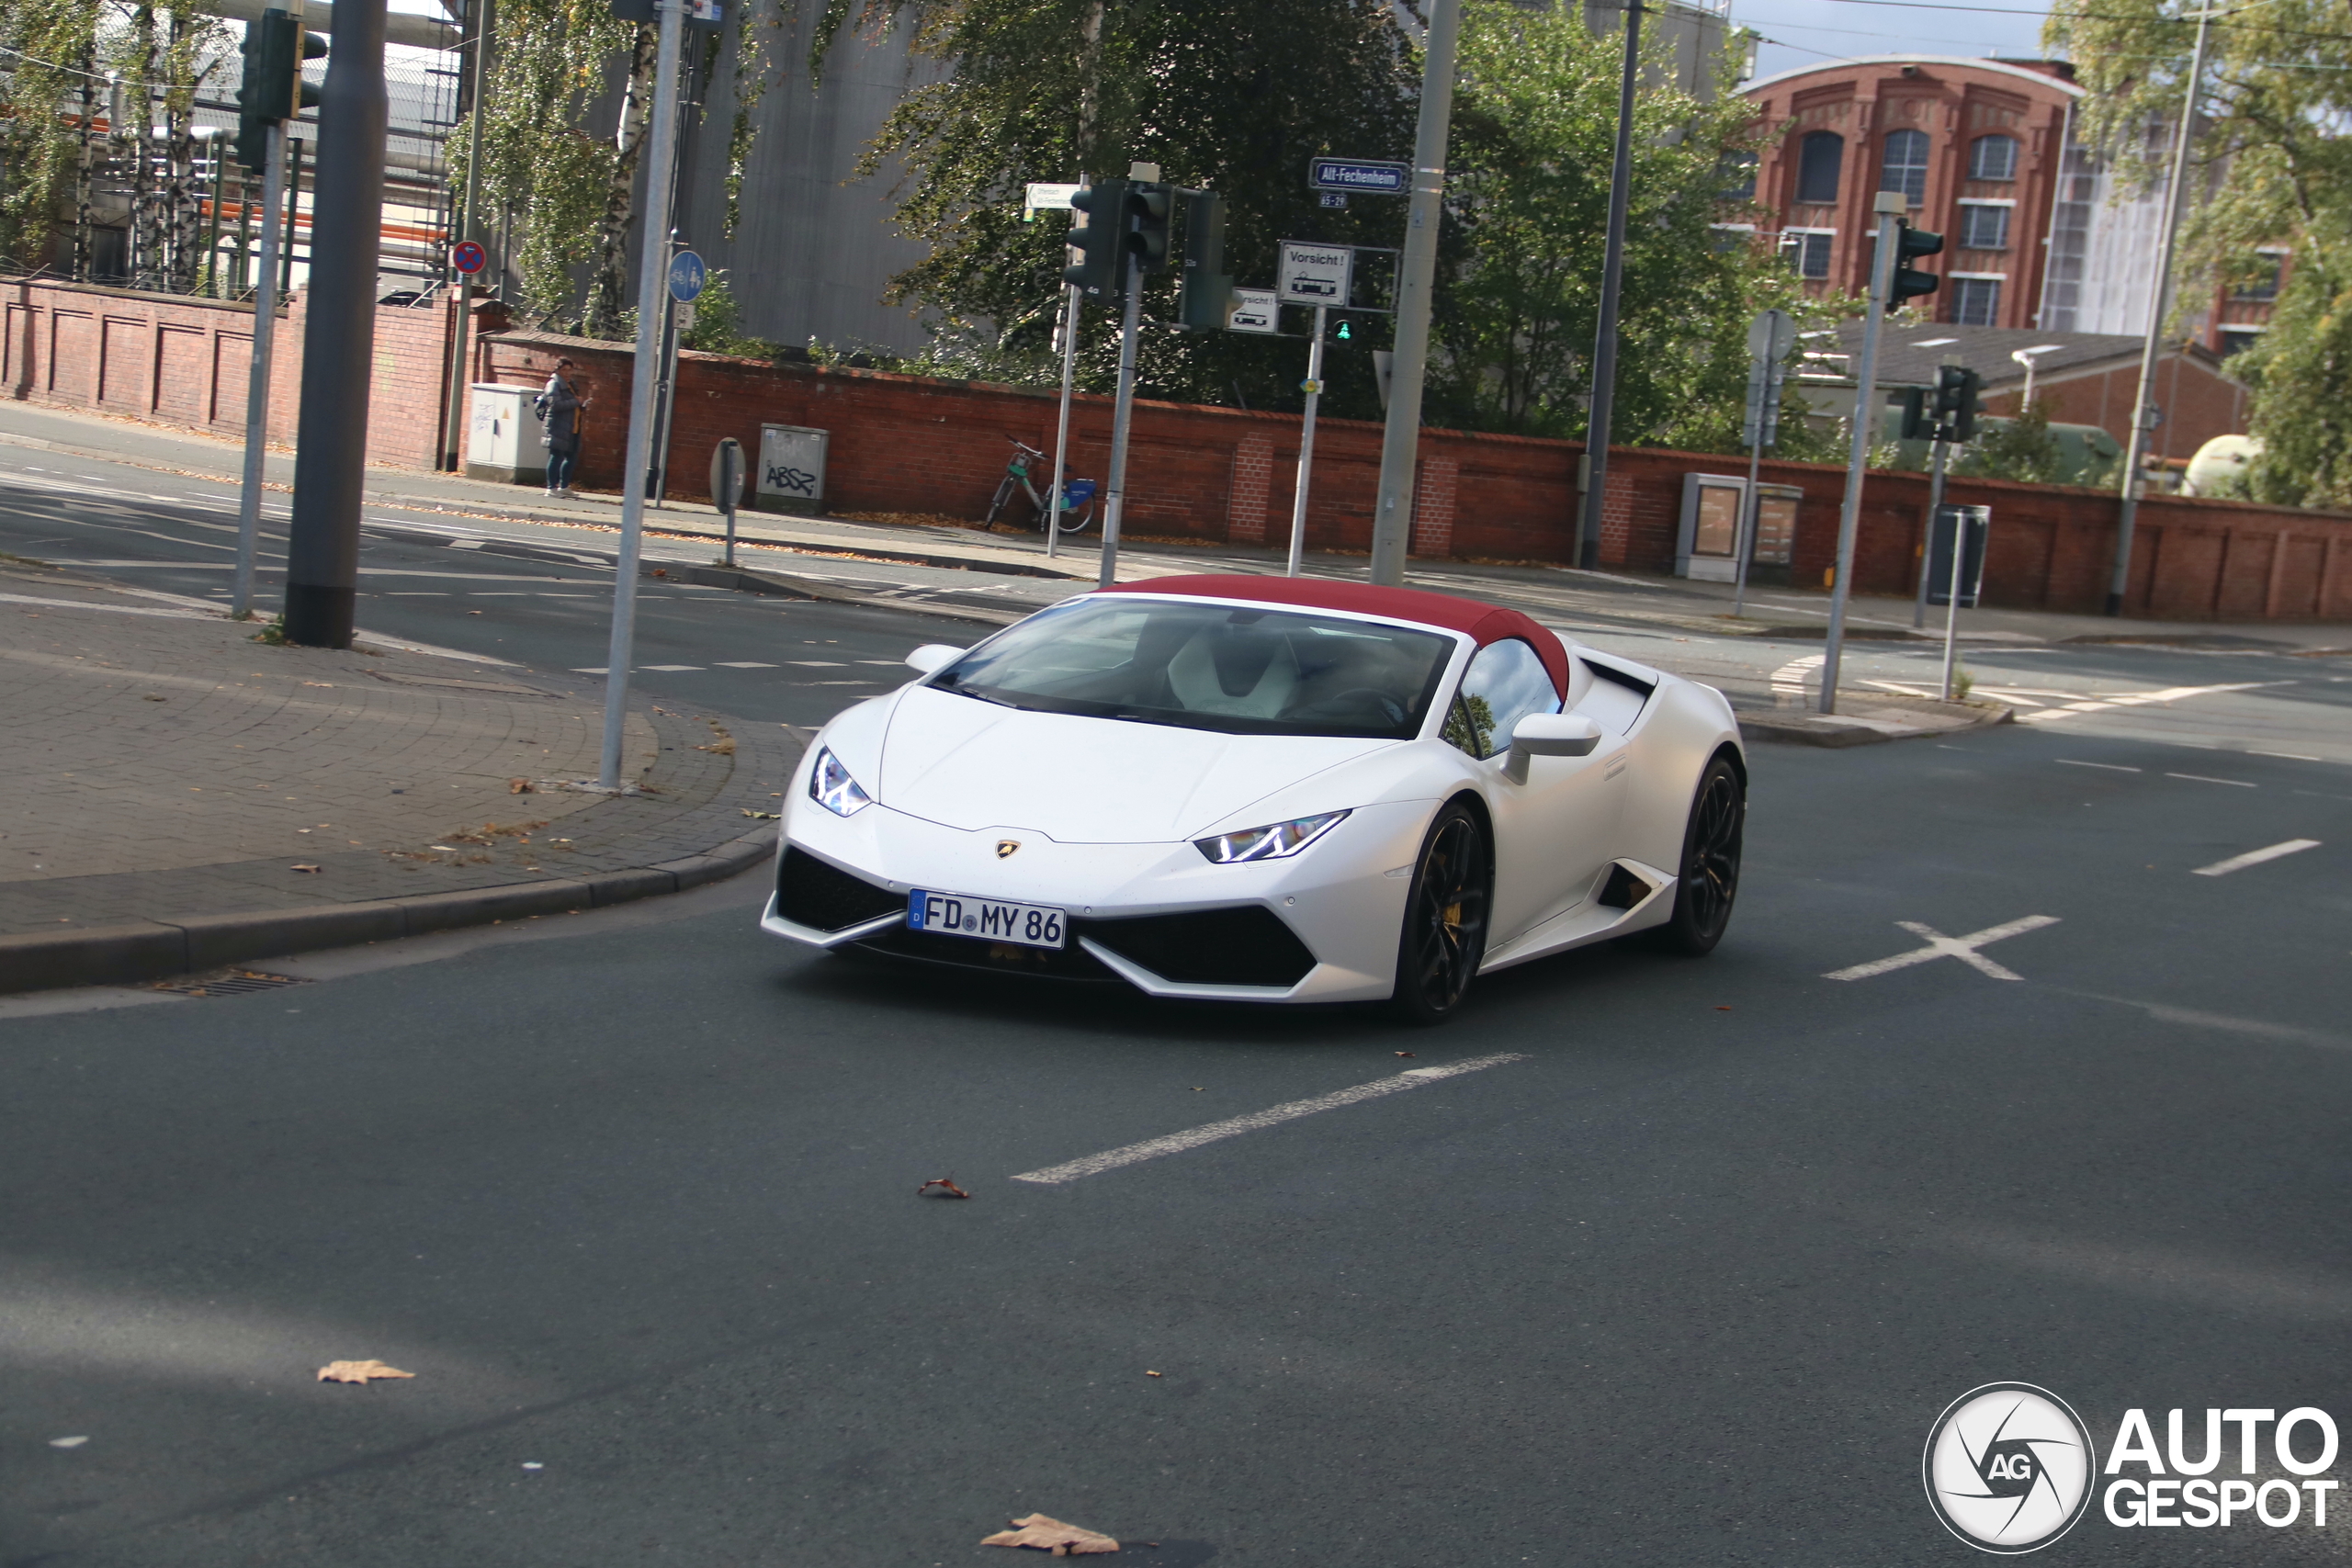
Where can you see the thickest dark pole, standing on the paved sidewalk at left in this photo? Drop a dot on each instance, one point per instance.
(340, 337)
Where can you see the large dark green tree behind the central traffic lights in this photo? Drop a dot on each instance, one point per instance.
(1227, 95)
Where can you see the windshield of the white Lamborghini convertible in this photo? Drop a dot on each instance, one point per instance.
(1243, 671)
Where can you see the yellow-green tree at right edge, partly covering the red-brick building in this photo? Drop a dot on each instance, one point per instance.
(2276, 159)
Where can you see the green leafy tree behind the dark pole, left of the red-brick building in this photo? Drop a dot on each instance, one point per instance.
(1528, 206)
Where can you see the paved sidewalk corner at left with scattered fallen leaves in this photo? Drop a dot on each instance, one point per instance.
(199, 798)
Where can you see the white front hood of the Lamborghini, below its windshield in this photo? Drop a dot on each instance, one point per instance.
(1083, 782)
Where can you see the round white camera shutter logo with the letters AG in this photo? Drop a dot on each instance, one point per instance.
(2010, 1468)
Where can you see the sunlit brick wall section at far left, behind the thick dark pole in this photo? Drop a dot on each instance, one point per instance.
(187, 363)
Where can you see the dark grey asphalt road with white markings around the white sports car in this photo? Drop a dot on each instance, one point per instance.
(634, 1193)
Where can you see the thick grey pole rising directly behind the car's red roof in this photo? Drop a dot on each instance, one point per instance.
(1417, 269)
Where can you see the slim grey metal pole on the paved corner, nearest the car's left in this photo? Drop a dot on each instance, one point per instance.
(653, 264)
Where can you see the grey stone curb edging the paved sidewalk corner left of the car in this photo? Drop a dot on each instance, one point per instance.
(161, 949)
